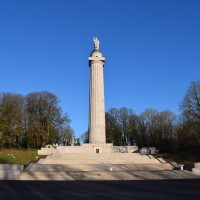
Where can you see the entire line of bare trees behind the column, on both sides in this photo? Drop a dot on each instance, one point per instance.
(36, 119)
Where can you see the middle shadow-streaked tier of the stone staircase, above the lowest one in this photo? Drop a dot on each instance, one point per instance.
(95, 167)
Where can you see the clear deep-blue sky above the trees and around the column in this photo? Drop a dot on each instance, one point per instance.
(152, 51)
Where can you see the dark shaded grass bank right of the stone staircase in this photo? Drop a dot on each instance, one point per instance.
(183, 157)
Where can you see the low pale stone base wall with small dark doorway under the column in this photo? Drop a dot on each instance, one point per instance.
(89, 148)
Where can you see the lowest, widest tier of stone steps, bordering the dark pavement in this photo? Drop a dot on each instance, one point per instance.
(126, 175)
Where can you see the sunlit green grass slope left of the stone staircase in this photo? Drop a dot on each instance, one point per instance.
(17, 156)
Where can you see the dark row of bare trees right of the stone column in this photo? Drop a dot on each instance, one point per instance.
(163, 130)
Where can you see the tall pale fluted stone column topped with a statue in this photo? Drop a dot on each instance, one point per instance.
(97, 133)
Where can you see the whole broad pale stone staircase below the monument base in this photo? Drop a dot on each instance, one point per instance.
(114, 166)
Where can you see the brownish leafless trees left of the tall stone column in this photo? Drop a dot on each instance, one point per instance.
(32, 121)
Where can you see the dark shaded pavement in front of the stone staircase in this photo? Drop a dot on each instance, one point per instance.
(156, 189)
